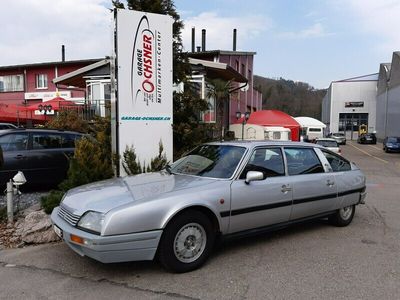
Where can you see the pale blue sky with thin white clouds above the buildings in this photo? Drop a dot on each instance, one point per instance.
(314, 41)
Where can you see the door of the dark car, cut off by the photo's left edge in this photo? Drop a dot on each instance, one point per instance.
(15, 152)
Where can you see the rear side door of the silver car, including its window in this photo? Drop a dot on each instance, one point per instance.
(314, 188)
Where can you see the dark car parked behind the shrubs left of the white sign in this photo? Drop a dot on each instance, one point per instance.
(42, 155)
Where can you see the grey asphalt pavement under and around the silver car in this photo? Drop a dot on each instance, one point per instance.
(307, 261)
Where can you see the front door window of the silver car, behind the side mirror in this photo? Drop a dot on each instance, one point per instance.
(269, 161)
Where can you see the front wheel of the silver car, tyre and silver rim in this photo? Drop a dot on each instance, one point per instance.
(187, 242)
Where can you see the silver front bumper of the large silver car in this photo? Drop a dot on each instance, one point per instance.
(109, 249)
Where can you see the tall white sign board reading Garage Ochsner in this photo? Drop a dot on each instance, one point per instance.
(144, 84)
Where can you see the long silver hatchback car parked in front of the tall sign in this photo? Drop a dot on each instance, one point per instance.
(222, 190)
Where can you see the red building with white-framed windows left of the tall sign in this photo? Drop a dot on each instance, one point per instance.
(23, 85)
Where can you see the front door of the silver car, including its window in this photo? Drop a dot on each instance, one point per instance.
(264, 202)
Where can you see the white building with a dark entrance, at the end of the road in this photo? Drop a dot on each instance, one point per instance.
(350, 103)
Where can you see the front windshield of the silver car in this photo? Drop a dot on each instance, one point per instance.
(216, 161)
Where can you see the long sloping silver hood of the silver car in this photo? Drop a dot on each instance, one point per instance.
(105, 195)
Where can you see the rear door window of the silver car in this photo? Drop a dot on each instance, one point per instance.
(303, 161)
